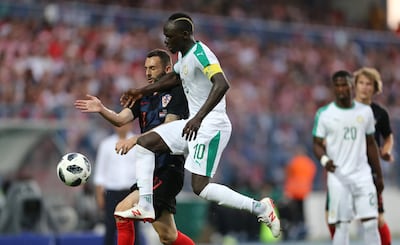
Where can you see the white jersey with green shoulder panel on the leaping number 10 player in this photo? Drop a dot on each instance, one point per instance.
(195, 81)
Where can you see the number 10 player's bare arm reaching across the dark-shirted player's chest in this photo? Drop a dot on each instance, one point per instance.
(166, 82)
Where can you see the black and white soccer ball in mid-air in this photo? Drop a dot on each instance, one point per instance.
(74, 169)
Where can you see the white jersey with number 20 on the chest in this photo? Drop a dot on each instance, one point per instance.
(344, 131)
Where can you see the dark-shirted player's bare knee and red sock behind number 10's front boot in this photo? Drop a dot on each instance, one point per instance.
(125, 227)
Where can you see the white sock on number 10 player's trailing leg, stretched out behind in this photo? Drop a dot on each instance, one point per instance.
(226, 197)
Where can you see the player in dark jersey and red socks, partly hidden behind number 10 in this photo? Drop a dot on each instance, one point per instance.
(152, 111)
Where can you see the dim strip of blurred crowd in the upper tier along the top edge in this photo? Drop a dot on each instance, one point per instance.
(290, 11)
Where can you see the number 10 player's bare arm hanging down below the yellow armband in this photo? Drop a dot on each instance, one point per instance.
(218, 90)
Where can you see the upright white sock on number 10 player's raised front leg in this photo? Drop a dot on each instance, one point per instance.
(145, 163)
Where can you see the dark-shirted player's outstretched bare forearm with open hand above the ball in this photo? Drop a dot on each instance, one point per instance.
(93, 104)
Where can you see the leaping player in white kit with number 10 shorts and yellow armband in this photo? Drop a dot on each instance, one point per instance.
(202, 137)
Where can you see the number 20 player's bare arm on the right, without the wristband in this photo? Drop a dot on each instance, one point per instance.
(374, 162)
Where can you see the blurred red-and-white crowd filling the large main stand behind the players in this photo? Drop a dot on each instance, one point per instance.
(278, 81)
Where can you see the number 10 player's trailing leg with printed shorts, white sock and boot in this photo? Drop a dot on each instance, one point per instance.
(202, 161)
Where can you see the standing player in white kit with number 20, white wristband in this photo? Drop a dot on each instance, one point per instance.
(343, 140)
